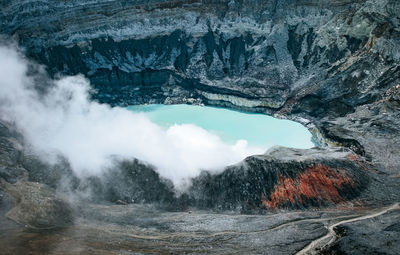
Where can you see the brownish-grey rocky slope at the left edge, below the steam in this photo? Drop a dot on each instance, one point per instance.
(29, 203)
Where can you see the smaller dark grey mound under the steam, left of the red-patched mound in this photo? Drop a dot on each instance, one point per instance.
(129, 182)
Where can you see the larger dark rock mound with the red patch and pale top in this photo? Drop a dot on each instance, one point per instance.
(283, 177)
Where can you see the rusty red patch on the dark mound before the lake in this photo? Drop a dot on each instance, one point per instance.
(318, 182)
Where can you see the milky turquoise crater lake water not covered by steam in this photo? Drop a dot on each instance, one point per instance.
(258, 129)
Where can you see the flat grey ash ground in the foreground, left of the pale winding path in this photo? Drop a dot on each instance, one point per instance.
(138, 229)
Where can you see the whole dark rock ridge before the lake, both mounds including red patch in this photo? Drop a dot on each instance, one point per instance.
(282, 178)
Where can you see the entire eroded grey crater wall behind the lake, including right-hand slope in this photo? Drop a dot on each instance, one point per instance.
(329, 62)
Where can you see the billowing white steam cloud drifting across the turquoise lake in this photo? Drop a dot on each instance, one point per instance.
(87, 133)
